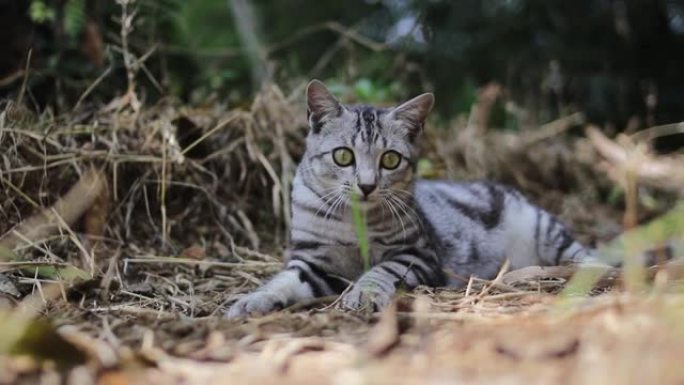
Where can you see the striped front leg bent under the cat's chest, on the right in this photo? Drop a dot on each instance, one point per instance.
(405, 268)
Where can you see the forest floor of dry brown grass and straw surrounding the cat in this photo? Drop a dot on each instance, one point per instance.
(128, 232)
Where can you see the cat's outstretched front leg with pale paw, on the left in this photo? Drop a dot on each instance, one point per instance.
(304, 278)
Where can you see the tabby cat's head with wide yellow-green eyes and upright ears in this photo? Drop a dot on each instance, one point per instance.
(362, 150)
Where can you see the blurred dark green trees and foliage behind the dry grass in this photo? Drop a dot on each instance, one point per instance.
(618, 60)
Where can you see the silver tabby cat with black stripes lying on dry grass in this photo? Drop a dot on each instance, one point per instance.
(417, 229)
